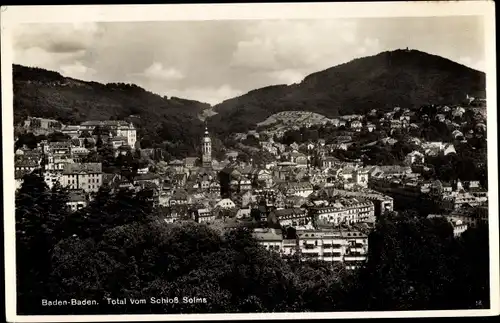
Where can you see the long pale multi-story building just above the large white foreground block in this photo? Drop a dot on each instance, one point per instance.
(345, 210)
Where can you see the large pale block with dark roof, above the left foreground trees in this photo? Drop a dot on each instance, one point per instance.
(82, 176)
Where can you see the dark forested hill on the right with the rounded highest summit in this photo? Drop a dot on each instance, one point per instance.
(406, 78)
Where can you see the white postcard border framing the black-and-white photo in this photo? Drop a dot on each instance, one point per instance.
(13, 15)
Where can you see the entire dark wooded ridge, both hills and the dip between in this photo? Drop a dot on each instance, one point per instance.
(408, 78)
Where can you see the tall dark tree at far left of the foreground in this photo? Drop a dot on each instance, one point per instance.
(40, 214)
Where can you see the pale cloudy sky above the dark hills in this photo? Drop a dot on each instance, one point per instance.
(211, 61)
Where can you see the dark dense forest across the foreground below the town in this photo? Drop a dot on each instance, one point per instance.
(119, 247)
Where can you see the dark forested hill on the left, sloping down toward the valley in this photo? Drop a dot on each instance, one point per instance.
(42, 93)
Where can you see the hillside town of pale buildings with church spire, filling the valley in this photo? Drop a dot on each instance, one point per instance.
(311, 199)
